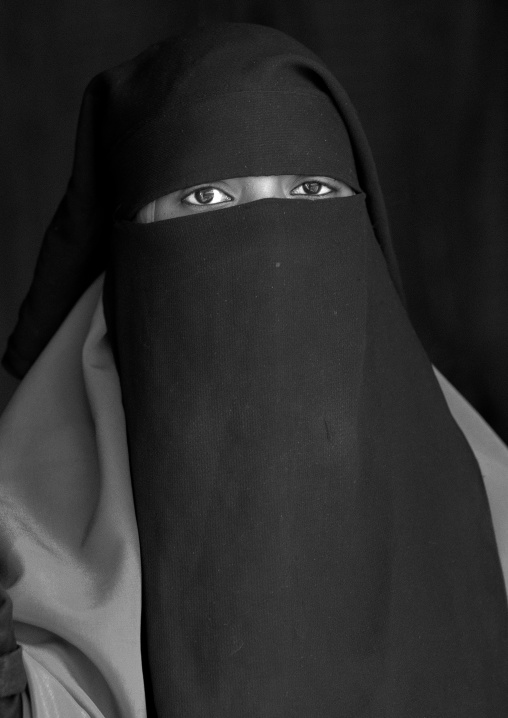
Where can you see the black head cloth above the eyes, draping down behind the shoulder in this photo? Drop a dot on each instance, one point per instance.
(132, 146)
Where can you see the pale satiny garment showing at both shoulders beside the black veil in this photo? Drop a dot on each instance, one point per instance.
(68, 536)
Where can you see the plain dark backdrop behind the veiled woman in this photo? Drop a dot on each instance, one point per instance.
(429, 79)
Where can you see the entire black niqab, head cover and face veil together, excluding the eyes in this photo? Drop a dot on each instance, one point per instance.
(314, 530)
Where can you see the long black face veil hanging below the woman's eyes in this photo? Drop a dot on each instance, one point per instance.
(314, 529)
